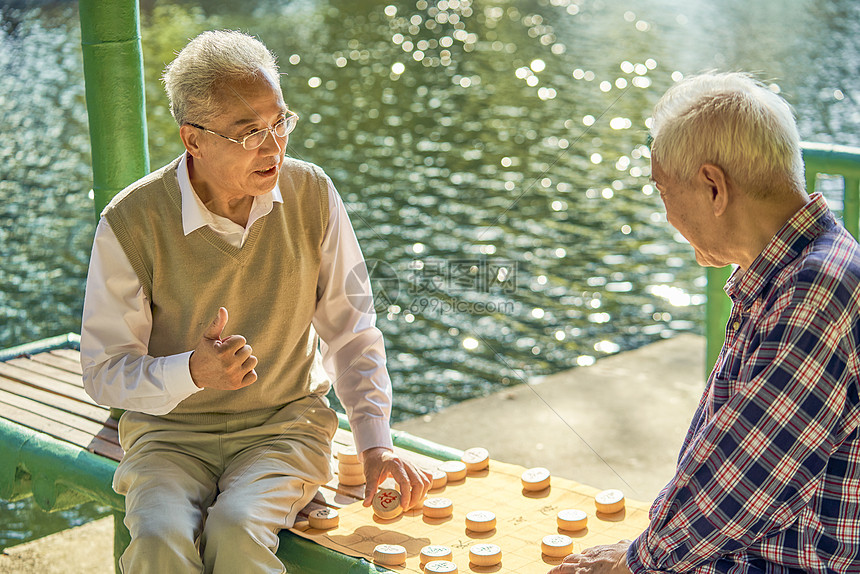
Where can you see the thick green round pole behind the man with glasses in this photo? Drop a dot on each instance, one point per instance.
(113, 72)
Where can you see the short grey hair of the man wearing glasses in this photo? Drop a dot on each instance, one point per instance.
(209, 61)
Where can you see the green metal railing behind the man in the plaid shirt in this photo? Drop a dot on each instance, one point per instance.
(819, 159)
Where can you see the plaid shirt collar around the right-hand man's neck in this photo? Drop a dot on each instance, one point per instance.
(800, 230)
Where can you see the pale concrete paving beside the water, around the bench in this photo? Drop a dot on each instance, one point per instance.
(616, 424)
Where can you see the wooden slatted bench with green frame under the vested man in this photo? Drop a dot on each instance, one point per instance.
(57, 445)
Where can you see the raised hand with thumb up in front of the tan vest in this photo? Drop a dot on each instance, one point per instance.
(226, 364)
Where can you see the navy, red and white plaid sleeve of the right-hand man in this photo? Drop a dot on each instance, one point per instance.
(753, 467)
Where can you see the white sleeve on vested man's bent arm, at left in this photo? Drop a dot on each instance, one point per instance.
(115, 330)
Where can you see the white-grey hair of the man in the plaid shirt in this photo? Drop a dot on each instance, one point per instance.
(734, 122)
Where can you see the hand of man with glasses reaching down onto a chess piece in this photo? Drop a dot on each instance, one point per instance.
(380, 463)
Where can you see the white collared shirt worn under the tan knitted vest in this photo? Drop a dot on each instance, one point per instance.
(117, 323)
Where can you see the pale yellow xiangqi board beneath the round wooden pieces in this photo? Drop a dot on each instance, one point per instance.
(523, 519)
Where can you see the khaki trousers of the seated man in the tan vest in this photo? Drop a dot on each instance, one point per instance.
(212, 498)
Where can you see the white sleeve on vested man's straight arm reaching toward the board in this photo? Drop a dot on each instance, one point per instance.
(353, 349)
